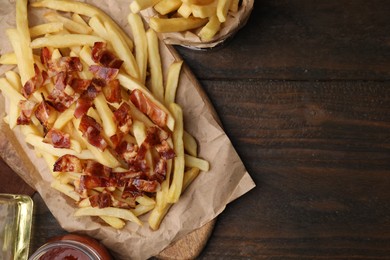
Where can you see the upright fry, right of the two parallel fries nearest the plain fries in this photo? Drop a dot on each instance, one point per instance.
(155, 66)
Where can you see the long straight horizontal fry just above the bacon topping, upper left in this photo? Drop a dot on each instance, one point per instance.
(64, 41)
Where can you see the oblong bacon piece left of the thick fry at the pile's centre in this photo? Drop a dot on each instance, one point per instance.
(91, 130)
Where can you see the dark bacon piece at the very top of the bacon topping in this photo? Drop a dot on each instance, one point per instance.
(101, 55)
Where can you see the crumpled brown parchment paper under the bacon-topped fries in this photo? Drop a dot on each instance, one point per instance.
(202, 201)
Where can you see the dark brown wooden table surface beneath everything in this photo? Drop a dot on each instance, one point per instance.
(303, 91)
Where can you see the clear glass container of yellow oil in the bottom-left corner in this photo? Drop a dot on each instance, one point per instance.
(15, 226)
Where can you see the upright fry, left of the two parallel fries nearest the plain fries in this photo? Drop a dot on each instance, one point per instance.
(140, 42)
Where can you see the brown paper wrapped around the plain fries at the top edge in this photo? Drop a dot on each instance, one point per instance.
(190, 39)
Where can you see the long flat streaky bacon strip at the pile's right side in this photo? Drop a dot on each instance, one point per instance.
(156, 114)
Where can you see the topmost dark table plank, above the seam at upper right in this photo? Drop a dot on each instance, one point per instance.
(304, 40)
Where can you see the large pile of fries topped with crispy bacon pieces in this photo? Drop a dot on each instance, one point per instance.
(94, 104)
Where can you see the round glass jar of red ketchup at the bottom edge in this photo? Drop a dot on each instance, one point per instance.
(72, 247)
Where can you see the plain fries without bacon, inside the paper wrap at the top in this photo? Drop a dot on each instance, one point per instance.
(205, 16)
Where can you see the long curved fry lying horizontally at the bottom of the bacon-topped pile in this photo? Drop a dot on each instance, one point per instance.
(108, 211)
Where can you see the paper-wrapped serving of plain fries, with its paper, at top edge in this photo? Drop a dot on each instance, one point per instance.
(196, 24)
